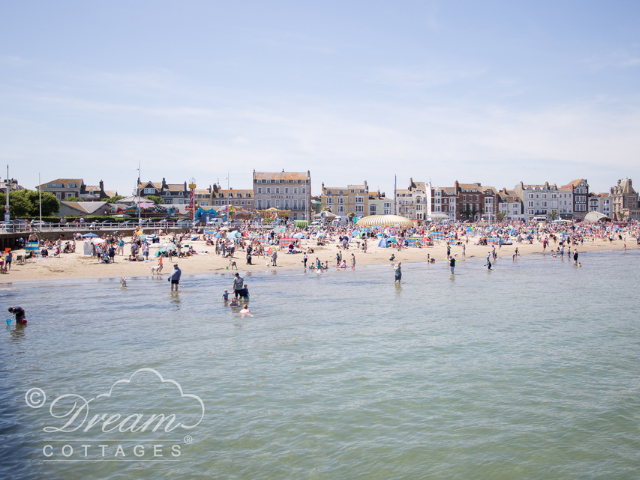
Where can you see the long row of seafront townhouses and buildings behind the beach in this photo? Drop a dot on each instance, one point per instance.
(420, 201)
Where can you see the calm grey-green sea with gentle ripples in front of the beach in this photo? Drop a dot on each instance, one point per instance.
(529, 371)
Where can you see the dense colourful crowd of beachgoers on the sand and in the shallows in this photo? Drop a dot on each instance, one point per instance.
(259, 242)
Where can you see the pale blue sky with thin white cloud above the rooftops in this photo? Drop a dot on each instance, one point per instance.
(479, 91)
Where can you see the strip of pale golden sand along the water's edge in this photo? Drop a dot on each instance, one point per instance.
(77, 266)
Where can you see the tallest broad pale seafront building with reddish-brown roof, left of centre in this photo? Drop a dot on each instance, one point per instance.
(284, 191)
